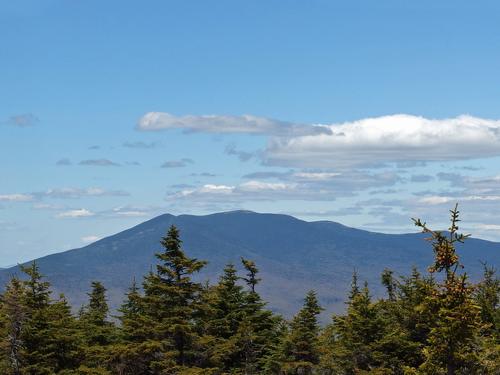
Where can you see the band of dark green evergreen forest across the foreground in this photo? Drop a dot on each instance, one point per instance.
(433, 321)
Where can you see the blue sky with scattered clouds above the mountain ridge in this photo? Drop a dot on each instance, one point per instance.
(366, 113)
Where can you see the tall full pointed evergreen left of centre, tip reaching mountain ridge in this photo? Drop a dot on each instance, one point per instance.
(170, 301)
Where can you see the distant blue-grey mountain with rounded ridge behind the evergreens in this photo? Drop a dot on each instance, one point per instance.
(293, 256)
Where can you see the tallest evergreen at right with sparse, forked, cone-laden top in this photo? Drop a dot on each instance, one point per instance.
(454, 335)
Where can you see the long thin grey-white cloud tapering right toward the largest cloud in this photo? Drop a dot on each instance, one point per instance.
(154, 121)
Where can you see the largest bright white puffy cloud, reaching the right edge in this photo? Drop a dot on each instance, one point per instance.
(395, 138)
